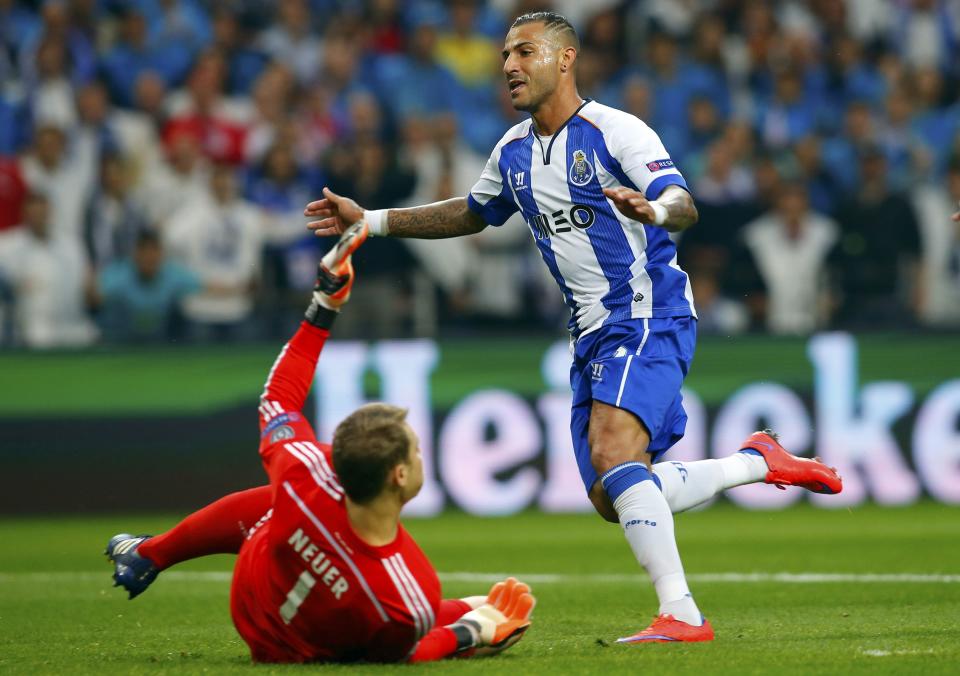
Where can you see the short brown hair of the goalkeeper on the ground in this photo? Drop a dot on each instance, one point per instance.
(367, 444)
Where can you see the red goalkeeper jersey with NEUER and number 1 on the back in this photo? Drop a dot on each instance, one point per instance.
(305, 586)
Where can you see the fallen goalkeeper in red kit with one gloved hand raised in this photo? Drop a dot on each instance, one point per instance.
(326, 571)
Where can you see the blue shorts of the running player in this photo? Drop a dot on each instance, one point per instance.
(639, 366)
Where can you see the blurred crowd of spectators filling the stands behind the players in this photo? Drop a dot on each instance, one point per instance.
(156, 156)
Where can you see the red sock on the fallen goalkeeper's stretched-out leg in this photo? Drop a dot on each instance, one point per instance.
(218, 528)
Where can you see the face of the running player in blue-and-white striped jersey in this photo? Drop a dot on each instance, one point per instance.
(531, 65)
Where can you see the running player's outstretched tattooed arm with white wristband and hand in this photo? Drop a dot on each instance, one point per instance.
(450, 218)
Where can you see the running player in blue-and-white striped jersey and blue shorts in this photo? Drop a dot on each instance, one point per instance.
(600, 194)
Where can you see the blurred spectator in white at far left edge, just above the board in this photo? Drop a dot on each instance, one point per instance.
(48, 276)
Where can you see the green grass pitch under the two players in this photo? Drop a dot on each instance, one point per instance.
(59, 615)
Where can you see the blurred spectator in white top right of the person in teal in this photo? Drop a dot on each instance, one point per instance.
(219, 237)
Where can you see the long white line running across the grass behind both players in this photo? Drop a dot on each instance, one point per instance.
(544, 578)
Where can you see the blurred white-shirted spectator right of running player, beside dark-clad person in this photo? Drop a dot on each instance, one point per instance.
(790, 246)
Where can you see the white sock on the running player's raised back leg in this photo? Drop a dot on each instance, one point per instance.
(688, 484)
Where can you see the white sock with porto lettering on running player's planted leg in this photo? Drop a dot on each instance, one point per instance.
(648, 526)
